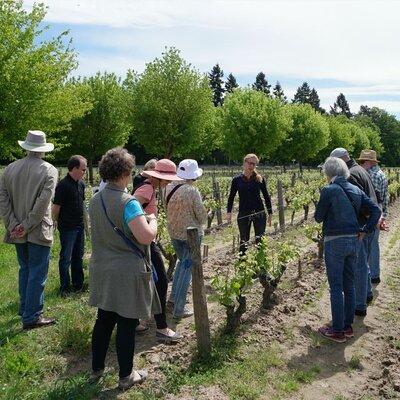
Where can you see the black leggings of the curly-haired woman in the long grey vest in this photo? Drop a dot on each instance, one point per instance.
(125, 340)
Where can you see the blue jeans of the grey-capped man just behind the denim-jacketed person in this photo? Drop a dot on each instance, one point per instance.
(363, 280)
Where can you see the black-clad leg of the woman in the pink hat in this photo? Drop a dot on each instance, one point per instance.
(161, 285)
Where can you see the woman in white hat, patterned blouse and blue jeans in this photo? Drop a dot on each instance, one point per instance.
(184, 208)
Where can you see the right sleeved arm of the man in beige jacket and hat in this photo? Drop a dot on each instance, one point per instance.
(35, 216)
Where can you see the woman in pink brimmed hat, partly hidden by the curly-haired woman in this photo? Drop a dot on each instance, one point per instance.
(163, 173)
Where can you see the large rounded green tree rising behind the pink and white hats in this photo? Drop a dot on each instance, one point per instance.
(171, 107)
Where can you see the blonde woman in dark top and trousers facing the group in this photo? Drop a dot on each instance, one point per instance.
(250, 184)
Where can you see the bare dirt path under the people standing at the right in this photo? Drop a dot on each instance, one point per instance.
(368, 366)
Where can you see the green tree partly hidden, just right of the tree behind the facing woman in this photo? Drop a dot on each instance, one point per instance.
(309, 135)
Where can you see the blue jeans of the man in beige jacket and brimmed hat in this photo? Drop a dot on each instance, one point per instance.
(33, 262)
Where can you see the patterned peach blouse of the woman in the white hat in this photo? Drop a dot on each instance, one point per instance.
(184, 209)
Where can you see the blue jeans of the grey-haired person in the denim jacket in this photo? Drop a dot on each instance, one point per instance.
(340, 262)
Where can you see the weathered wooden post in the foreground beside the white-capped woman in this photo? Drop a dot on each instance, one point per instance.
(201, 321)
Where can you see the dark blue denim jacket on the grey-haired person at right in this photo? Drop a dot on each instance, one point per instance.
(338, 215)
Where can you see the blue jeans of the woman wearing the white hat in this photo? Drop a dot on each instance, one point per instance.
(182, 275)
